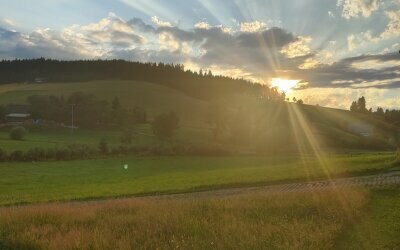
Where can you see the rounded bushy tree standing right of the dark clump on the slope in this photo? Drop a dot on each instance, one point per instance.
(165, 125)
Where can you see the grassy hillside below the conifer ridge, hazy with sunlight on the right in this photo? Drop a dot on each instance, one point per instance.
(250, 123)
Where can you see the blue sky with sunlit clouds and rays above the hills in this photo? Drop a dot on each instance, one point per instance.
(330, 51)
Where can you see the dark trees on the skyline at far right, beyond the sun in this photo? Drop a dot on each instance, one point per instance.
(390, 116)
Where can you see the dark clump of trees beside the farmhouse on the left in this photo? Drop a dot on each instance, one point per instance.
(85, 109)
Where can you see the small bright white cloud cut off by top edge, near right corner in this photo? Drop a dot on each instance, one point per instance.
(357, 8)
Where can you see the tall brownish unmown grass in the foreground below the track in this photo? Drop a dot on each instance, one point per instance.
(252, 221)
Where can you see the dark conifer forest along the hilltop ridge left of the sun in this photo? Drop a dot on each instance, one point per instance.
(202, 85)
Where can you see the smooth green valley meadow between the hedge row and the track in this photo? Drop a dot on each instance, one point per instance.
(49, 181)
